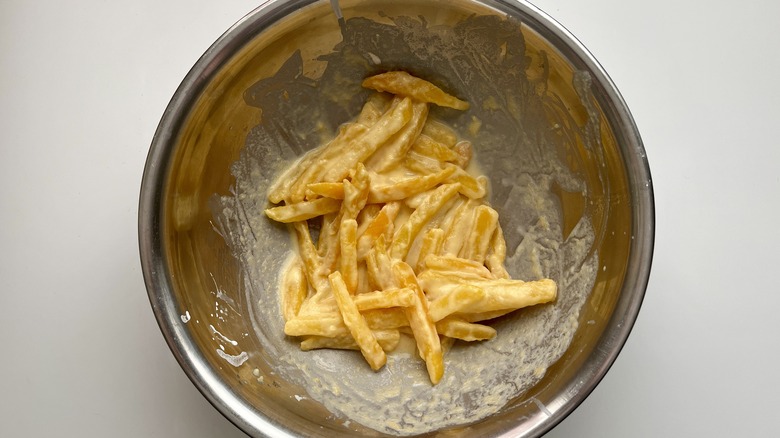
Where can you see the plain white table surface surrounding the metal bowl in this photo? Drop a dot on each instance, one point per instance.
(84, 83)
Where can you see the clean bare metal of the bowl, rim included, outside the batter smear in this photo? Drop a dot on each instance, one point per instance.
(187, 265)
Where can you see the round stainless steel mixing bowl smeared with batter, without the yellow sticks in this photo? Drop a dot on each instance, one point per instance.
(544, 114)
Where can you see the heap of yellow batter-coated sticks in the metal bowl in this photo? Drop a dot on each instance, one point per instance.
(406, 240)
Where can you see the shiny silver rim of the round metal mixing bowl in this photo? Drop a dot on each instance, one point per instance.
(157, 276)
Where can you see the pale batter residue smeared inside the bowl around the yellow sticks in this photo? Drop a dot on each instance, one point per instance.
(483, 59)
